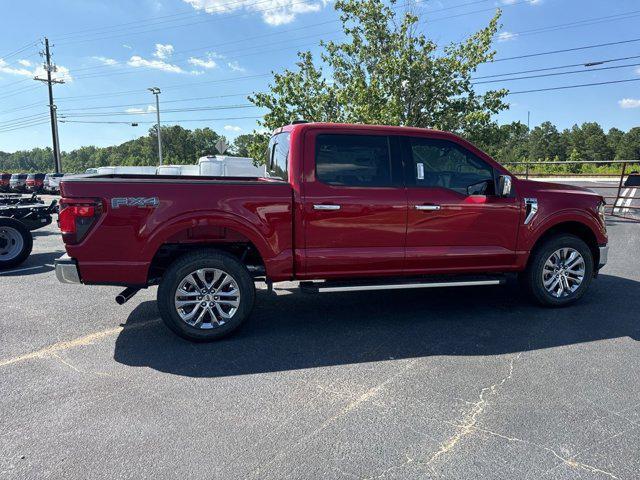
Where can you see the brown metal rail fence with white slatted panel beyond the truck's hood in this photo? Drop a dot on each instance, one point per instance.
(624, 196)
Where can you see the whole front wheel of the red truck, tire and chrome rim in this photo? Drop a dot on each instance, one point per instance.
(559, 271)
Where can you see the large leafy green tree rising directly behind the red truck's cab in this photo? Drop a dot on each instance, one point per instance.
(386, 73)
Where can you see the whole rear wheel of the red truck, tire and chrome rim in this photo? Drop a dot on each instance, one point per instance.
(205, 295)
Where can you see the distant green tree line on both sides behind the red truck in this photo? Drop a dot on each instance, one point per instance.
(507, 143)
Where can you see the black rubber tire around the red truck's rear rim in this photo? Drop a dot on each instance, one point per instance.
(189, 263)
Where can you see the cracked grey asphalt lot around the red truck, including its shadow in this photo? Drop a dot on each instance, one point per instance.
(459, 383)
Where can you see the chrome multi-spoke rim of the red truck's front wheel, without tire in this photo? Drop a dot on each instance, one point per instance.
(563, 272)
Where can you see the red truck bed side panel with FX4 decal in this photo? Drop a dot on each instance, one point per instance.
(178, 211)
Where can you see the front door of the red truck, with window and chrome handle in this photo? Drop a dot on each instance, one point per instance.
(456, 222)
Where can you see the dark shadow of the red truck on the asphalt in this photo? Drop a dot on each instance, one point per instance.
(296, 331)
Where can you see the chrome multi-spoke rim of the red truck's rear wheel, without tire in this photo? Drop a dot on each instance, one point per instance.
(207, 298)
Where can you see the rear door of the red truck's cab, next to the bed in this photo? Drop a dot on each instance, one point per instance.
(354, 204)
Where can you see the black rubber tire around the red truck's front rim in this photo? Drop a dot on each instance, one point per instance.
(532, 277)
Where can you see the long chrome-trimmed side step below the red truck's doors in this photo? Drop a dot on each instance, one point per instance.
(399, 284)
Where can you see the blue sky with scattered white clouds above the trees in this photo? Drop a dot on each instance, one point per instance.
(206, 55)
